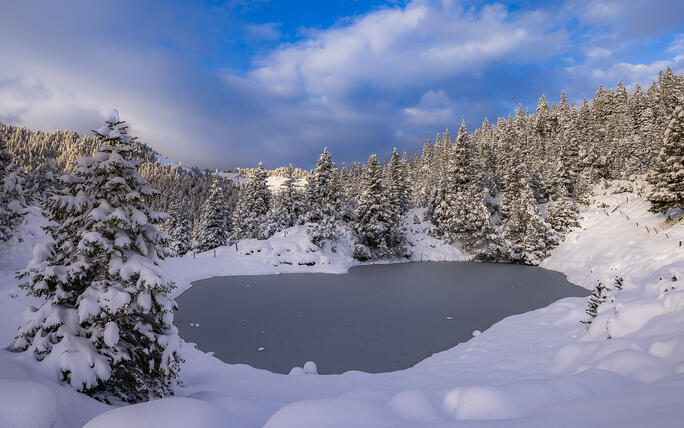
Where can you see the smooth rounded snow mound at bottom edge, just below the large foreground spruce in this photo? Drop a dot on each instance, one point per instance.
(167, 413)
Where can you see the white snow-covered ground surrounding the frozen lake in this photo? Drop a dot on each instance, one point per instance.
(542, 368)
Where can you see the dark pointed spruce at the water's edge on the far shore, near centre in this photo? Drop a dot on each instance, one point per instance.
(375, 224)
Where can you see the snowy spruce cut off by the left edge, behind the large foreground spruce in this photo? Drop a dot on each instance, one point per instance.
(12, 200)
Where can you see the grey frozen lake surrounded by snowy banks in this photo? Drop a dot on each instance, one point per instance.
(375, 318)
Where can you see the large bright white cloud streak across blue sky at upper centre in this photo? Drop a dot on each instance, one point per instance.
(392, 48)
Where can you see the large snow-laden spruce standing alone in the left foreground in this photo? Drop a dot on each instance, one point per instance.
(106, 323)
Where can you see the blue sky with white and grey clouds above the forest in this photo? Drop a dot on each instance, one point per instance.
(221, 84)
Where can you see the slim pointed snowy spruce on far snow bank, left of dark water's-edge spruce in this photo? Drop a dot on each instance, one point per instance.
(323, 201)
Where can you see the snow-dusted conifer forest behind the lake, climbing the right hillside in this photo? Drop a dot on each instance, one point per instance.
(505, 192)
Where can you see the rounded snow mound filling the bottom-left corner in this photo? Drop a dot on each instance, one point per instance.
(18, 405)
